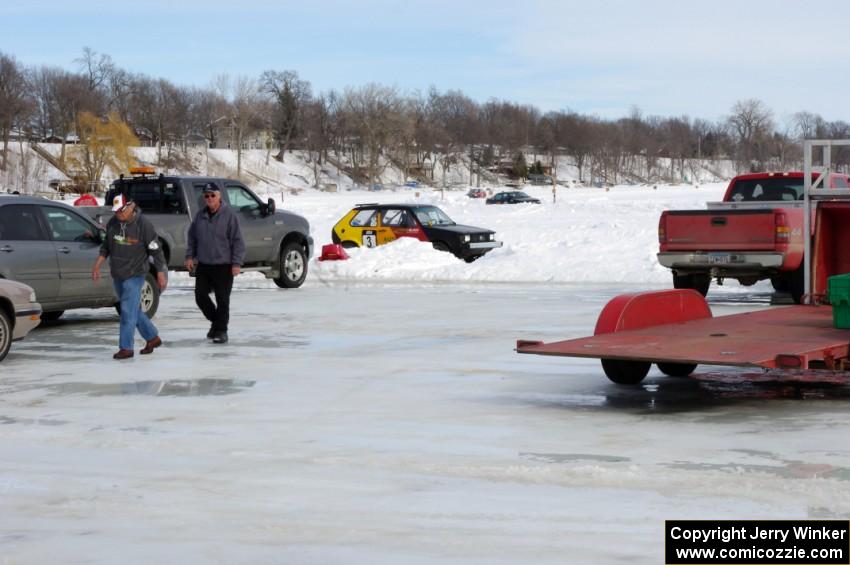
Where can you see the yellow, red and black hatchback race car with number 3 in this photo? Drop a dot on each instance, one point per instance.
(370, 225)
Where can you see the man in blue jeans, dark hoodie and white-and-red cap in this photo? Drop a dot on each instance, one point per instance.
(130, 241)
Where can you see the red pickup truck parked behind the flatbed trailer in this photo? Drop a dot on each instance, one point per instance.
(755, 233)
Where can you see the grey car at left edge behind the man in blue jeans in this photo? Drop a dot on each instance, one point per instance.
(52, 248)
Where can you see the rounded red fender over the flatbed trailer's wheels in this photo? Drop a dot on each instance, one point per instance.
(645, 309)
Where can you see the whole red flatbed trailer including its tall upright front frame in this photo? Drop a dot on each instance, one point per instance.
(676, 330)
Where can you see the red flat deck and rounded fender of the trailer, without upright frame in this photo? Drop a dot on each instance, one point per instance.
(675, 329)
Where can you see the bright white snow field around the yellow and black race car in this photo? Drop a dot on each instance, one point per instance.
(586, 235)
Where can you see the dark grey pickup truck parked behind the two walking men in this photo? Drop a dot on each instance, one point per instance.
(277, 242)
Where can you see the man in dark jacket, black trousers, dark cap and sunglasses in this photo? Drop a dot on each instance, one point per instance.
(215, 251)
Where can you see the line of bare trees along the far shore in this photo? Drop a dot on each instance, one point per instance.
(363, 129)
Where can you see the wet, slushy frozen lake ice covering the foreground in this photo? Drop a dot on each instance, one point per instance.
(379, 423)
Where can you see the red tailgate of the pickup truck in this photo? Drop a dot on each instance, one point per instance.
(720, 230)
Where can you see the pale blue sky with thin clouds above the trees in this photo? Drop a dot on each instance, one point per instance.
(665, 57)
